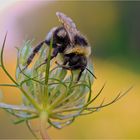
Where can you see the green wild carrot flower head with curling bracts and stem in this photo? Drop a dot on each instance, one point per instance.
(50, 93)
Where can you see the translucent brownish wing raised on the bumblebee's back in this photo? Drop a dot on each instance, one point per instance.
(69, 25)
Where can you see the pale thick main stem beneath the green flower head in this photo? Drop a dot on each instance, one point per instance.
(43, 122)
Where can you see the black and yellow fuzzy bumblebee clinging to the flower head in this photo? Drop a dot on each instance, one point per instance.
(69, 42)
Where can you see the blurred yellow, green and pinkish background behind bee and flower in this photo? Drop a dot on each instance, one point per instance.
(113, 30)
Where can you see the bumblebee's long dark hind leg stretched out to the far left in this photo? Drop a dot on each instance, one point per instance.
(30, 58)
